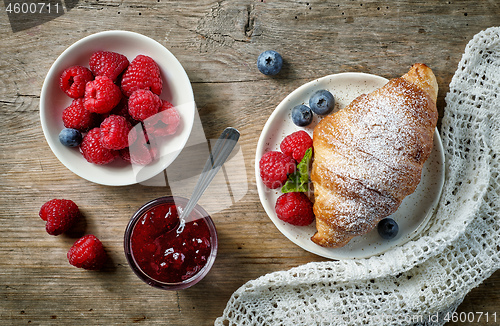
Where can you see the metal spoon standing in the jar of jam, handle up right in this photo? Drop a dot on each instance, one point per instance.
(219, 154)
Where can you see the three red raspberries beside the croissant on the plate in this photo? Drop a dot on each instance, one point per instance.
(276, 166)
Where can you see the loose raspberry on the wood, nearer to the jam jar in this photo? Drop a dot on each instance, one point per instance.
(87, 253)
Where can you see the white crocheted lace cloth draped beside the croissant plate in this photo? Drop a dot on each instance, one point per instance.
(423, 281)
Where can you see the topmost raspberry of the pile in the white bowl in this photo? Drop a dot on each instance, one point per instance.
(107, 63)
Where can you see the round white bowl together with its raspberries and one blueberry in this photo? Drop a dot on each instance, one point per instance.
(127, 103)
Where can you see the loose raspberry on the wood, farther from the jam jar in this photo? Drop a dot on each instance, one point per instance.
(60, 215)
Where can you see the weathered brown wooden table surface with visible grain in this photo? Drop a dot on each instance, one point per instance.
(217, 42)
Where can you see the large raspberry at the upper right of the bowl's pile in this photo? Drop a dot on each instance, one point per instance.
(142, 73)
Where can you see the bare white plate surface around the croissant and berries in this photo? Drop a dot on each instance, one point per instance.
(412, 215)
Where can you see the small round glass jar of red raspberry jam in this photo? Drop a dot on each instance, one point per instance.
(164, 255)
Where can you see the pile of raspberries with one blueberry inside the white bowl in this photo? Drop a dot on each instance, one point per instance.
(116, 111)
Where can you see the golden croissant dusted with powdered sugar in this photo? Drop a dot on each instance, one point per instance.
(369, 156)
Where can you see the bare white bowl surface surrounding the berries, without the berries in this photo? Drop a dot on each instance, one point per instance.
(176, 89)
